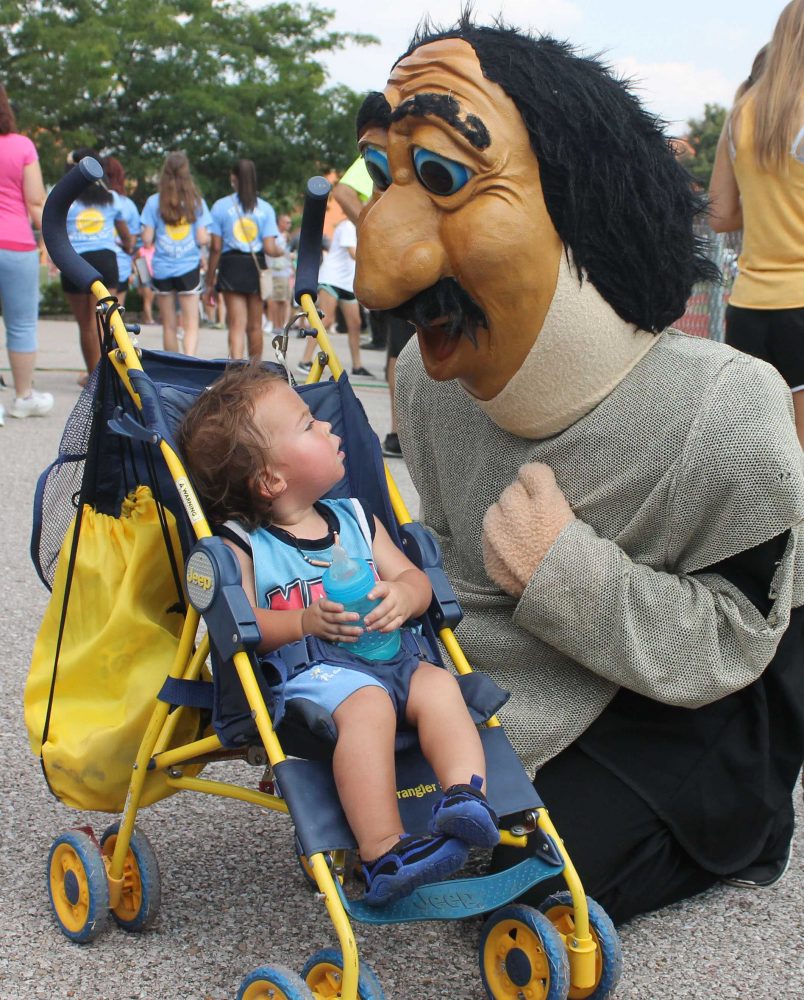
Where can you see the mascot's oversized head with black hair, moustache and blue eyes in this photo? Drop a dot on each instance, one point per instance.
(492, 153)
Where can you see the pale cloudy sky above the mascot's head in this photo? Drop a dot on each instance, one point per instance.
(680, 54)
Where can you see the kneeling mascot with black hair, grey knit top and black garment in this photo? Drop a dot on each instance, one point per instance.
(619, 505)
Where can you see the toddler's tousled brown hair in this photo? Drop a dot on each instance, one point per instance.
(223, 450)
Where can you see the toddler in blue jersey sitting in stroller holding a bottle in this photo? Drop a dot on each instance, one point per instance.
(261, 464)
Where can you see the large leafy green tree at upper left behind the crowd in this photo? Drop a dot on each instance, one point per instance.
(215, 78)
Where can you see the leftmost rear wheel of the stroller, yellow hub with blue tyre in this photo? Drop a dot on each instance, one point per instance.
(77, 886)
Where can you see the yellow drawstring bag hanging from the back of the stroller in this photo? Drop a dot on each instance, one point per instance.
(93, 680)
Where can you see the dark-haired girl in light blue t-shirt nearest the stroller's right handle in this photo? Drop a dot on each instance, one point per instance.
(243, 231)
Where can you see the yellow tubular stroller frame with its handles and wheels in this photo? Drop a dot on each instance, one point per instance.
(579, 957)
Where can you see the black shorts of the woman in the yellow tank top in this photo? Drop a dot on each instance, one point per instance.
(774, 335)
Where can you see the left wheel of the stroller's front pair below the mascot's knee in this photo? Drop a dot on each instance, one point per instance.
(522, 954)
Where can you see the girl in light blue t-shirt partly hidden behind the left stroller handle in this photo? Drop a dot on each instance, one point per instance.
(93, 225)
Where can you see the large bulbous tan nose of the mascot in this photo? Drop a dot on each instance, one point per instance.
(399, 249)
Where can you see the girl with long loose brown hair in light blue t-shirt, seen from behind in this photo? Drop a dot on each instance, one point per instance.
(175, 222)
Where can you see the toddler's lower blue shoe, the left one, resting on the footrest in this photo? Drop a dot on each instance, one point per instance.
(411, 862)
